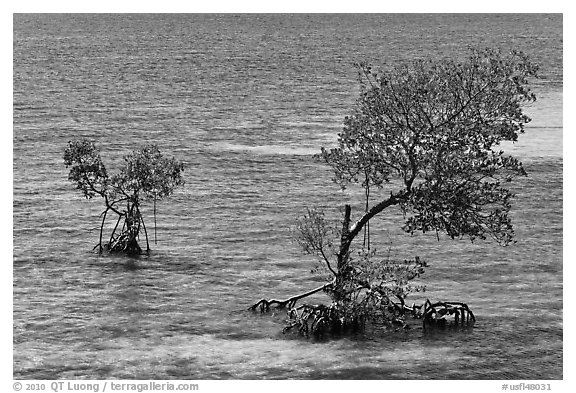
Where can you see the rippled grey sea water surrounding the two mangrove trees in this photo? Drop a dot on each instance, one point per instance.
(244, 101)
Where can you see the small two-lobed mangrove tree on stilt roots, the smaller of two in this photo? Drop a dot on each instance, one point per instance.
(145, 176)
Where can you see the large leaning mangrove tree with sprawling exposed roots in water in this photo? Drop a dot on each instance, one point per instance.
(423, 138)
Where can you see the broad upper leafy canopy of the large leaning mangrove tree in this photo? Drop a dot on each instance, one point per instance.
(430, 129)
